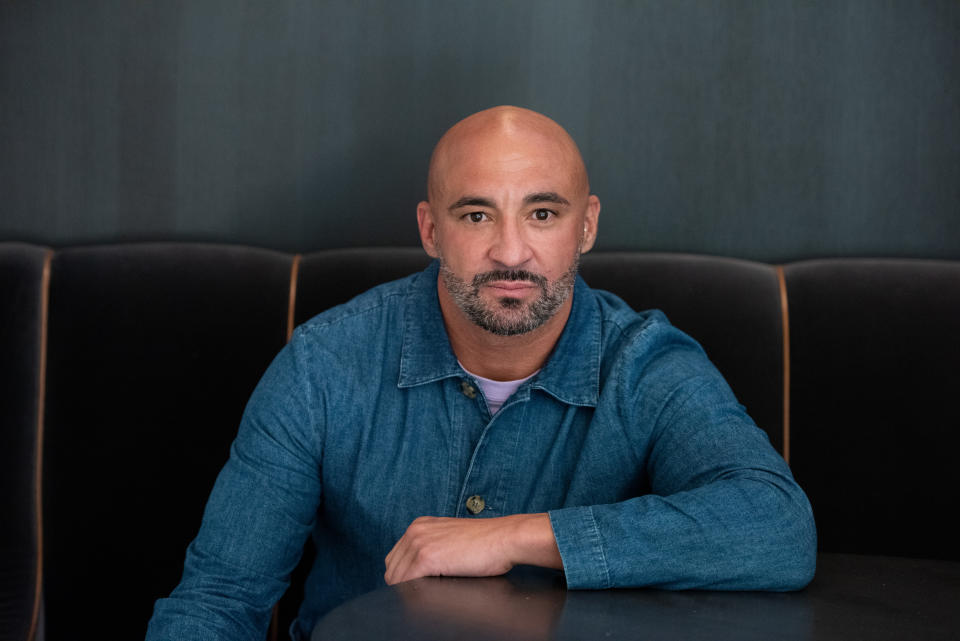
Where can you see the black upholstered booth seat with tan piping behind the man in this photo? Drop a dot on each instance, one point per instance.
(125, 368)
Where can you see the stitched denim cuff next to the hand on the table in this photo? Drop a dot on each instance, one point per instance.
(581, 548)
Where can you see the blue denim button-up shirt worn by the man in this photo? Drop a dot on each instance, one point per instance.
(650, 470)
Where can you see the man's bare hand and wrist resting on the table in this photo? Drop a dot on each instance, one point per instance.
(434, 546)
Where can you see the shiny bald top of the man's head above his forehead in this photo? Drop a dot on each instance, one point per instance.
(508, 134)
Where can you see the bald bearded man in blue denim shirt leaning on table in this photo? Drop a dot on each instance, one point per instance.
(488, 412)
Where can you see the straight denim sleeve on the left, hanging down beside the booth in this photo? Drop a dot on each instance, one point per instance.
(259, 514)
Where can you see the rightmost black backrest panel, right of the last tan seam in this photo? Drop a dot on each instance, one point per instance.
(875, 420)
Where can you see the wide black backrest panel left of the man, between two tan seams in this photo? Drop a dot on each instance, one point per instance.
(153, 351)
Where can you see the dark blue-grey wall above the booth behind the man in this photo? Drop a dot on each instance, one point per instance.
(770, 130)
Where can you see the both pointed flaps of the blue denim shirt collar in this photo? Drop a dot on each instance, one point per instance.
(571, 374)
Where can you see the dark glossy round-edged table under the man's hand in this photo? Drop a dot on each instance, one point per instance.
(852, 597)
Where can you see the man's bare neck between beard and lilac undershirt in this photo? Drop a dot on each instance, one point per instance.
(500, 358)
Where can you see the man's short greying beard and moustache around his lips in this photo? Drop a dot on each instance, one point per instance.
(510, 316)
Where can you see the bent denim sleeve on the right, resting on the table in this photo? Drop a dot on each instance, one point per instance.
(724, 511)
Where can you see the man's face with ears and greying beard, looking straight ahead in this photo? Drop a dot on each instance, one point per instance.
(508, 219)
